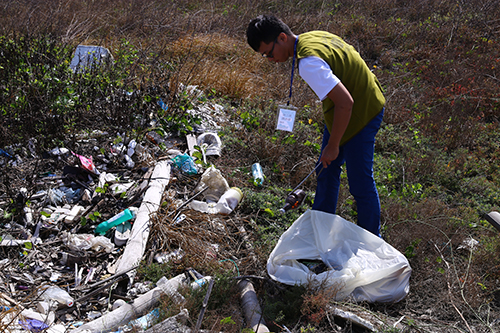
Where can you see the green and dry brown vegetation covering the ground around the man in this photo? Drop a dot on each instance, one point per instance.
(437, 153)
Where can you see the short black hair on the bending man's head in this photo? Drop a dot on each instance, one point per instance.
(265, 28)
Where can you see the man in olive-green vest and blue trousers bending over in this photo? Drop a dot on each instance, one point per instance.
(353, 108)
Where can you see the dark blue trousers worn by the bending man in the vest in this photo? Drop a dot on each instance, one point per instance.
(357, 154)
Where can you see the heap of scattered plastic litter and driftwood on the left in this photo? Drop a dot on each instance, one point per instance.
(93, 214)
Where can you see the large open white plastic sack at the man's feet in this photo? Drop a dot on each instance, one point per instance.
(360, 264)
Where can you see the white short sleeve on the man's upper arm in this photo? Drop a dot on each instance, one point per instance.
(318, 75)
